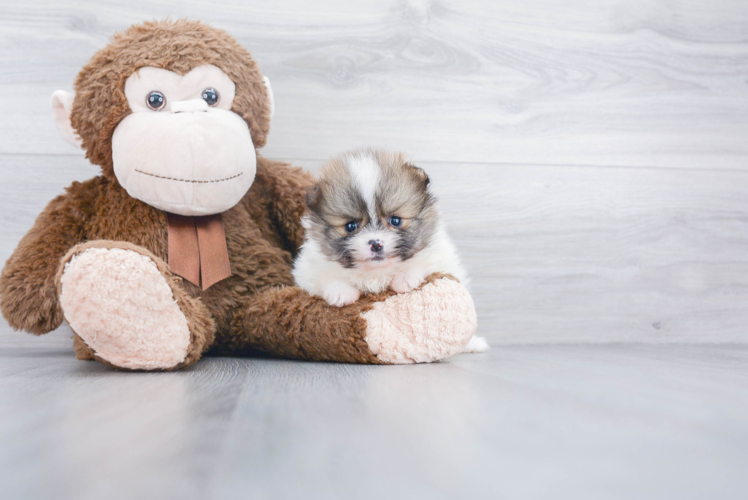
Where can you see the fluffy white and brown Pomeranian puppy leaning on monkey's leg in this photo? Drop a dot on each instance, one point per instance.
(372, 224)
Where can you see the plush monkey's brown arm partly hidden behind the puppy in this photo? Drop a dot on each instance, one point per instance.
(286, 189)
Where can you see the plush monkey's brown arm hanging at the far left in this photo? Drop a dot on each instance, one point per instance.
(28, 296)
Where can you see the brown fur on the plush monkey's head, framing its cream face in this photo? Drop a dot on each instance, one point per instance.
(179, 46)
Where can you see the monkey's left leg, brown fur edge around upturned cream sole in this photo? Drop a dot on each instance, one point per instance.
(128, 310)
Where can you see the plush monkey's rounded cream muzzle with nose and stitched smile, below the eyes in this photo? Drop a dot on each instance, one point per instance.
(194, 160)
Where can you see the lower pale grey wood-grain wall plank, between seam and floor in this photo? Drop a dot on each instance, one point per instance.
(556, 254)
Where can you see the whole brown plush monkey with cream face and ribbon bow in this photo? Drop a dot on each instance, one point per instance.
(184, 244)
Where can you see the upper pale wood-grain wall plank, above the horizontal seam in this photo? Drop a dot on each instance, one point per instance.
(613, 82)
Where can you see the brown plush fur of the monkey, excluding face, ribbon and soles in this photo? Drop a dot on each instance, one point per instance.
(256, 308)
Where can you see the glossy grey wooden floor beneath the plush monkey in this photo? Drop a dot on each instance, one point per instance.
(581, 422)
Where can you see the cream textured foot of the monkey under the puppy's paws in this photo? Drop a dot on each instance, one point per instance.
(428, 324)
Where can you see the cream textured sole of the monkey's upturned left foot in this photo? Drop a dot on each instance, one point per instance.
(121, 305)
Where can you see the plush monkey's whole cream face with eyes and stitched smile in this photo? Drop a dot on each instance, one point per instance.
(182, 149)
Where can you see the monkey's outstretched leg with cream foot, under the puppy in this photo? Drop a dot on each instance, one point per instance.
(428, 324)
